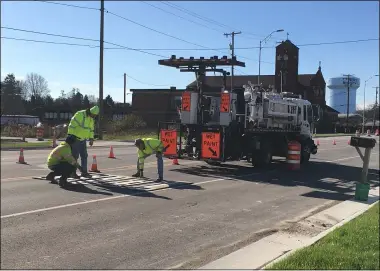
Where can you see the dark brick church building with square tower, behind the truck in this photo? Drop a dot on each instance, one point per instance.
(160, 104)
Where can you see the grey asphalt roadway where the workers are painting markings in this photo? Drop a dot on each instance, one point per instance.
(97, 226)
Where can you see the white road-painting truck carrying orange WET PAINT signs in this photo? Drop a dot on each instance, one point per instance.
(248, 123)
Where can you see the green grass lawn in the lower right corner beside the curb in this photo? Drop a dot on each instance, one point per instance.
(355, 245)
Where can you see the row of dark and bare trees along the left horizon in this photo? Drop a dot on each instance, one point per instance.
(32, 97)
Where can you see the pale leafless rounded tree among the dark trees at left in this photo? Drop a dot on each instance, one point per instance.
(35, 85)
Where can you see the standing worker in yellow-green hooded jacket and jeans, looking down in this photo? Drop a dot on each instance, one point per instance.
(81, 127)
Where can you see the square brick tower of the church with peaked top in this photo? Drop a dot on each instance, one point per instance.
(286, 71)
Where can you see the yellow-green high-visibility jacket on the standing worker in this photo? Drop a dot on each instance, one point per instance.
(81, 126)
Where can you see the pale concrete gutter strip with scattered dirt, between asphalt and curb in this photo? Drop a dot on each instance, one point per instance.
(300, 234)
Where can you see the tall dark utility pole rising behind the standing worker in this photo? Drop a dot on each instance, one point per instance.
(100, 131)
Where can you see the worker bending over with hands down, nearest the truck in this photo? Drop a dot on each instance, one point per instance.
(147, 147)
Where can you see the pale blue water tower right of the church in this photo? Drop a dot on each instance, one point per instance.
(337, 96)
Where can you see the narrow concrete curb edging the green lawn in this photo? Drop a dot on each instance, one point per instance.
(318, 237)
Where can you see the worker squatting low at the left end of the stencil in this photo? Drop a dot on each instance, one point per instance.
(61, 161)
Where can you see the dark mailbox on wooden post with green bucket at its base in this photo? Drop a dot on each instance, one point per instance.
(362, 187)
